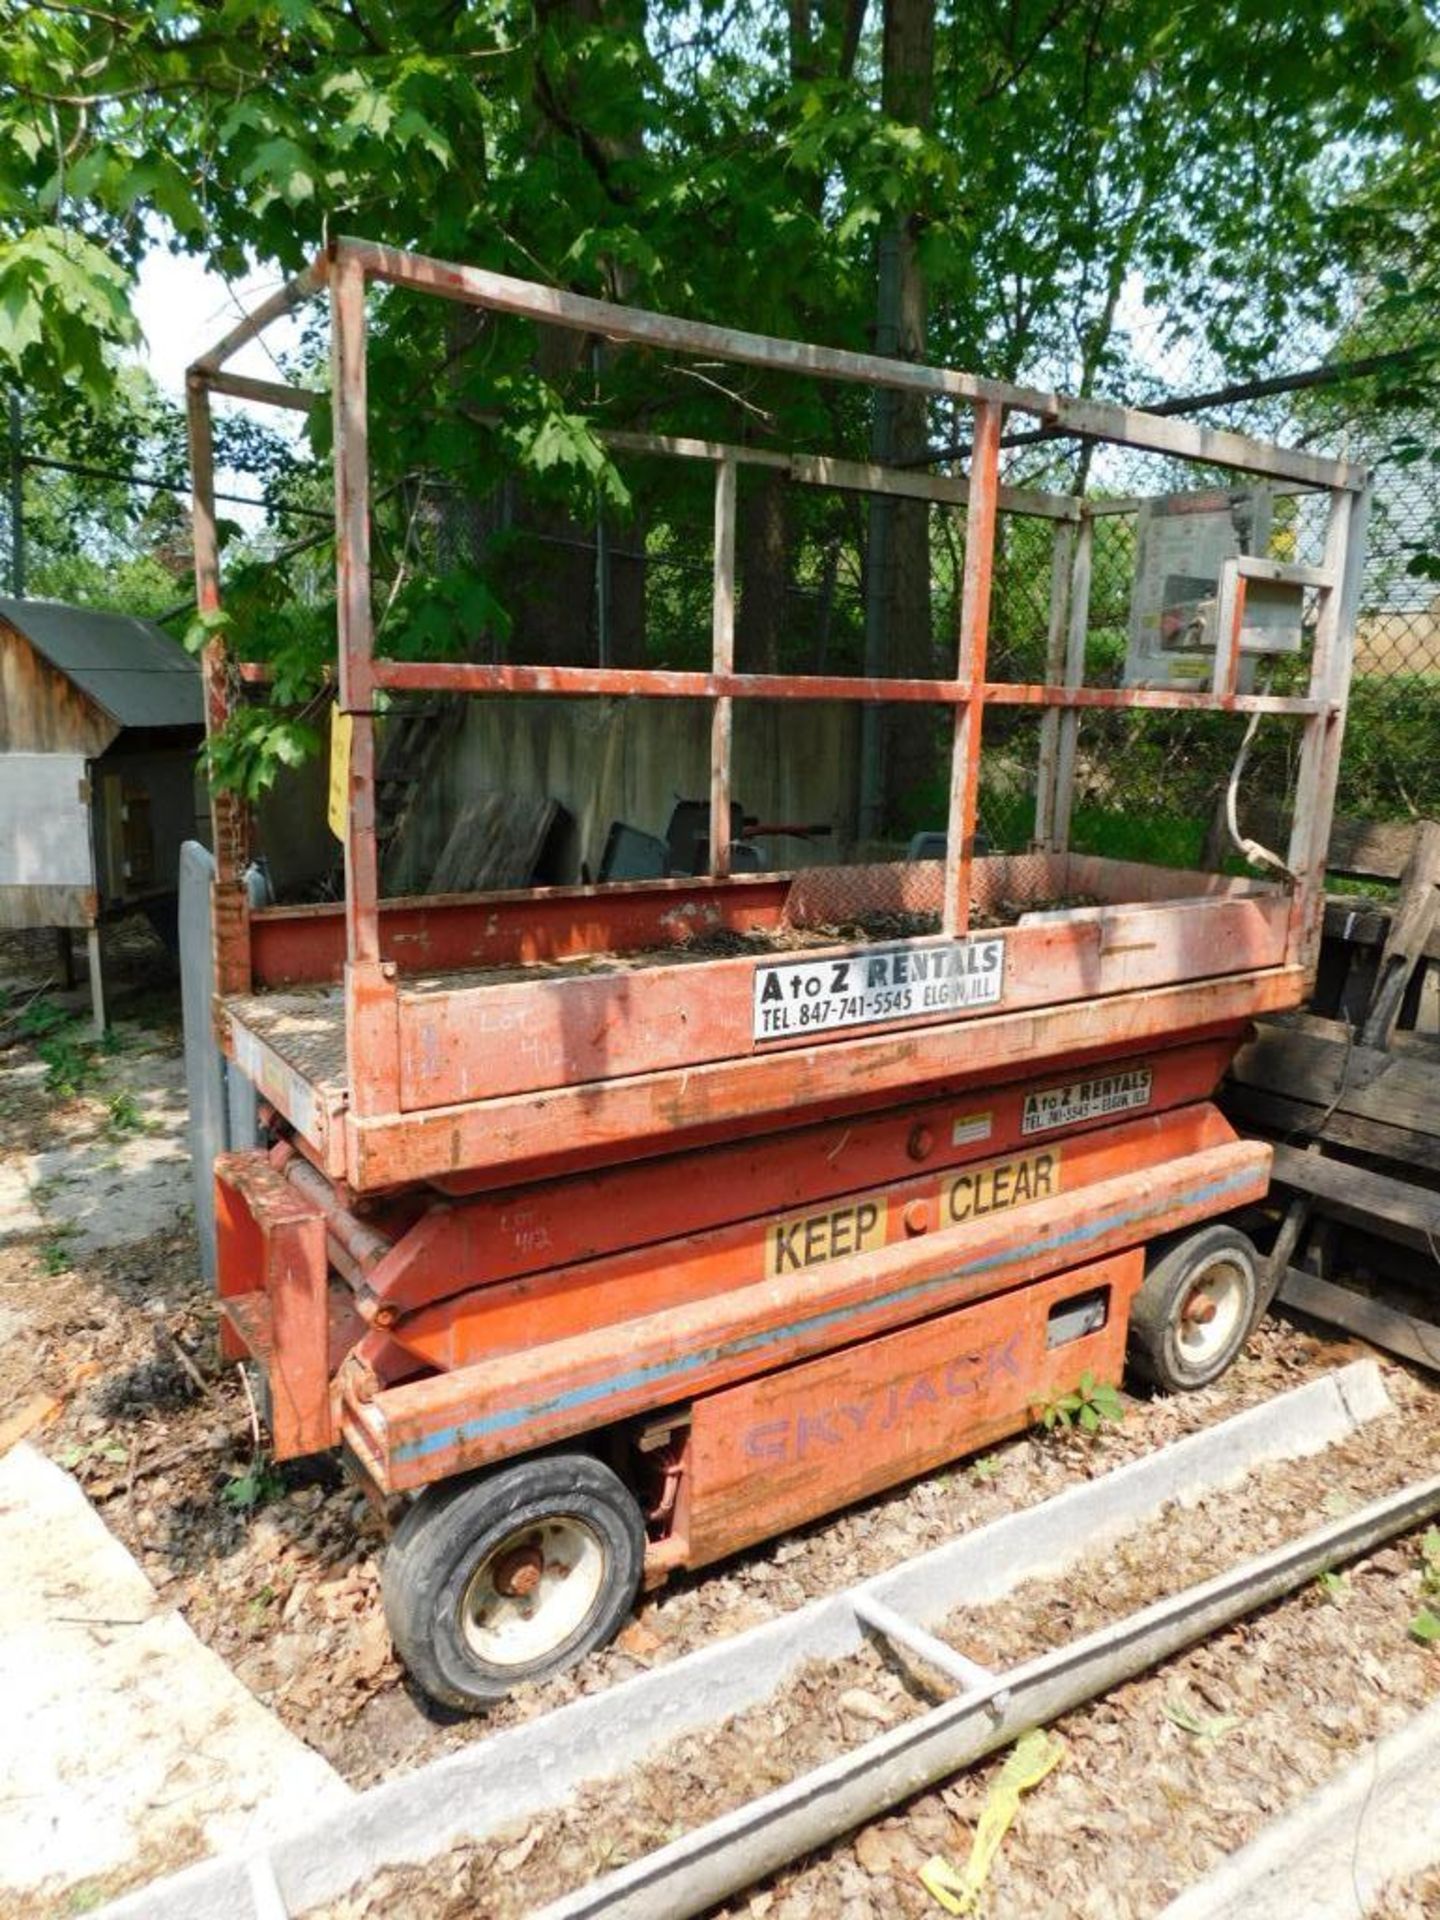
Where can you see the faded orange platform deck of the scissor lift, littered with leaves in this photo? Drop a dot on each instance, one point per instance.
(575, 1020)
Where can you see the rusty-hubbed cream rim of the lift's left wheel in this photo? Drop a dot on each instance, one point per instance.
(533, 1591)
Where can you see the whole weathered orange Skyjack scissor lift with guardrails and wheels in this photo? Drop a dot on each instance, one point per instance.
(619, 1257)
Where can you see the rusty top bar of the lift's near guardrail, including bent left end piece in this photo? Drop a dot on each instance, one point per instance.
(1088, 420)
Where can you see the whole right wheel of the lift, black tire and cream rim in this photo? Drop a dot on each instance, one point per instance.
(1195, 1310)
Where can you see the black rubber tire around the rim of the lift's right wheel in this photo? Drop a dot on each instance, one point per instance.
(1155, 1353)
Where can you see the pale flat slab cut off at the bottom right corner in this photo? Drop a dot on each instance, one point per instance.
(1333, 1856)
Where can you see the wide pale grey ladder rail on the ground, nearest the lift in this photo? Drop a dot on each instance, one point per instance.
(529, 1769)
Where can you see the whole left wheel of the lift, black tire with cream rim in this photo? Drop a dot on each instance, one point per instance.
(512, 1577)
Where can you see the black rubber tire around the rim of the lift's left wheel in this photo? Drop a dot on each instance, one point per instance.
(454, 1527)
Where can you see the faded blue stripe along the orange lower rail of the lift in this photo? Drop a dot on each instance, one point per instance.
(675, 1370)
